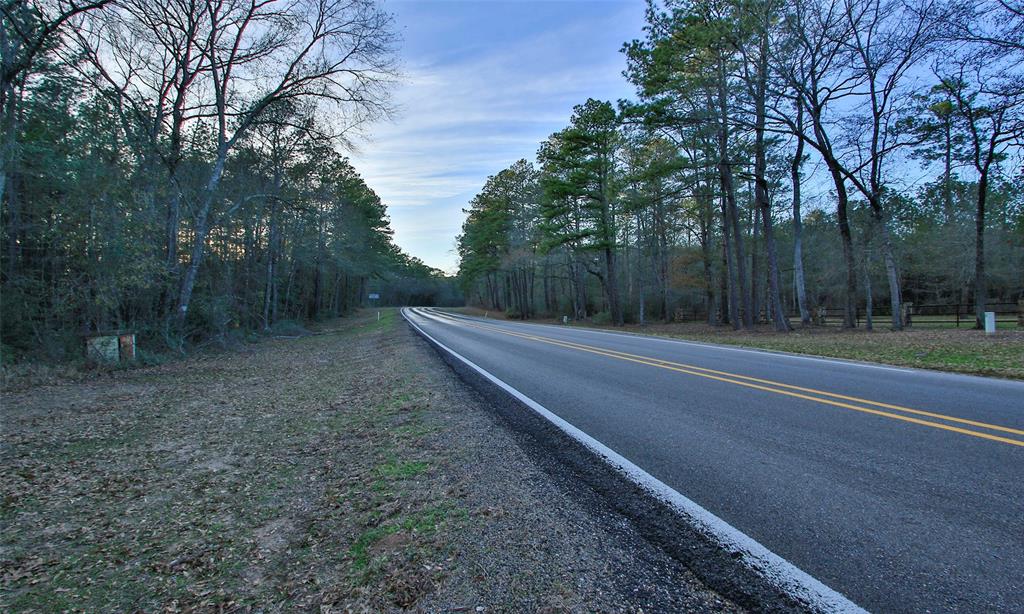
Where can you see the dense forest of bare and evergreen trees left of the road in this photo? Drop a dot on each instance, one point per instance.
(173, 169)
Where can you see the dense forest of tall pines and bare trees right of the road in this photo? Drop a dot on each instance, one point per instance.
(783, 160)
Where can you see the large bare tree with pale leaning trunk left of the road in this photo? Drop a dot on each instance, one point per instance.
(217, 68)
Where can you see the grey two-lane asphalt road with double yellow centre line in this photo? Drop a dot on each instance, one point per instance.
(902, 489)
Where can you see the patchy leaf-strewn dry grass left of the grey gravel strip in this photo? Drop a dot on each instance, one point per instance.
(291, 475)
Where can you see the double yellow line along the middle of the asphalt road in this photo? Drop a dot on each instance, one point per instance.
(820, 397)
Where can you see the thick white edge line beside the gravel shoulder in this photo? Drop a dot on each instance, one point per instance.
(777, 571)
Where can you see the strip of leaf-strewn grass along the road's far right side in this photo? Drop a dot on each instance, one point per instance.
(959, 350)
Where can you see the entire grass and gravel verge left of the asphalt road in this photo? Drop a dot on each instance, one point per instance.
(347, 471)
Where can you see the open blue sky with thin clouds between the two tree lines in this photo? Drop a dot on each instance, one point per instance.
(485, 82)
